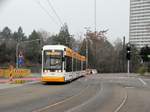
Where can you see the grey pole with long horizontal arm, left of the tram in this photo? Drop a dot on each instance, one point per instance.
(17, 47)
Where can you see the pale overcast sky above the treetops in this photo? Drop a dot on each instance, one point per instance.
(78, 14)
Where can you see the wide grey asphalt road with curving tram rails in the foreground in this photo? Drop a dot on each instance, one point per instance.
(95, 93)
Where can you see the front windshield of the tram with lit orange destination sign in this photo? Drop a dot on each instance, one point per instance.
(53, 60)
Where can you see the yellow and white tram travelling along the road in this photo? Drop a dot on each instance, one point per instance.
(61, 64)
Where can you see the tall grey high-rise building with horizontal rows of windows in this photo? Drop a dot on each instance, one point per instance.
(139, 34)
